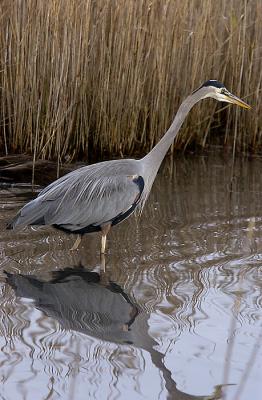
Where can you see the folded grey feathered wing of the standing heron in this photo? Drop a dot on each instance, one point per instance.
(92, 195)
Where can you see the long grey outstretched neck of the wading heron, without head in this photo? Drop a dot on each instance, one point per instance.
(155, 157)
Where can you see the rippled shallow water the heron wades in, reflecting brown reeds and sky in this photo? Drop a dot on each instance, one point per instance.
(177, 314)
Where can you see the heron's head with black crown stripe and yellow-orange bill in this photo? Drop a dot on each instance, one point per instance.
(217, 91)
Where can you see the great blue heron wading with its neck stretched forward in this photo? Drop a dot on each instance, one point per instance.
(99, 196)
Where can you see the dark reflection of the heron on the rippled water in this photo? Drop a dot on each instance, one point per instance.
(90, 303)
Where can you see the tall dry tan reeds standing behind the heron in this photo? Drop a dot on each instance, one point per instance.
(85, 79)
